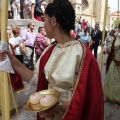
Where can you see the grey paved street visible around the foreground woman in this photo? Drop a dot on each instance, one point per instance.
(111, 112)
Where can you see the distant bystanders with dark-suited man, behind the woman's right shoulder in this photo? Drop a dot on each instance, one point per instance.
(89, 36)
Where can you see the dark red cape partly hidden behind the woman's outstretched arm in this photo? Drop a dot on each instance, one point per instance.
(16, 80)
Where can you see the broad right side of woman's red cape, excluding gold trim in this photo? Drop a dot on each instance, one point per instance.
(87, 102)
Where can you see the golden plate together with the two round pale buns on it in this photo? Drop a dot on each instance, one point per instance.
(42, 100)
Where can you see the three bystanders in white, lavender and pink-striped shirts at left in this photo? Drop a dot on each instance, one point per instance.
(26, 43)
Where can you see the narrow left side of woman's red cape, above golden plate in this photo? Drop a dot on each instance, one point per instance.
(42, 82)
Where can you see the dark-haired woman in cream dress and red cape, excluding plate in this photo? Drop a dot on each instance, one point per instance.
(66, 66)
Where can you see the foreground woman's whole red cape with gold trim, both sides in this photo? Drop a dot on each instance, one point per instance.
(87, 102)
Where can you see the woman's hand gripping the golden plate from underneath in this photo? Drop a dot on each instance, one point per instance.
(50, 112)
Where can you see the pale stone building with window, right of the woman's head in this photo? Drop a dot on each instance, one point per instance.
(92, 11)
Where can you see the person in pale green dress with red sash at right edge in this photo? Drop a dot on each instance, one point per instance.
(112, 80)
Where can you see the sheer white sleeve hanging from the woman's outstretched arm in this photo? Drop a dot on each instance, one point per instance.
(32, 87)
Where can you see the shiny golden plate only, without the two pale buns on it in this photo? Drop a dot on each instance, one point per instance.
(37, 107)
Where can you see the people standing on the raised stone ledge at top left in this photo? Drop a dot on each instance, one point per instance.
(26, 9)
